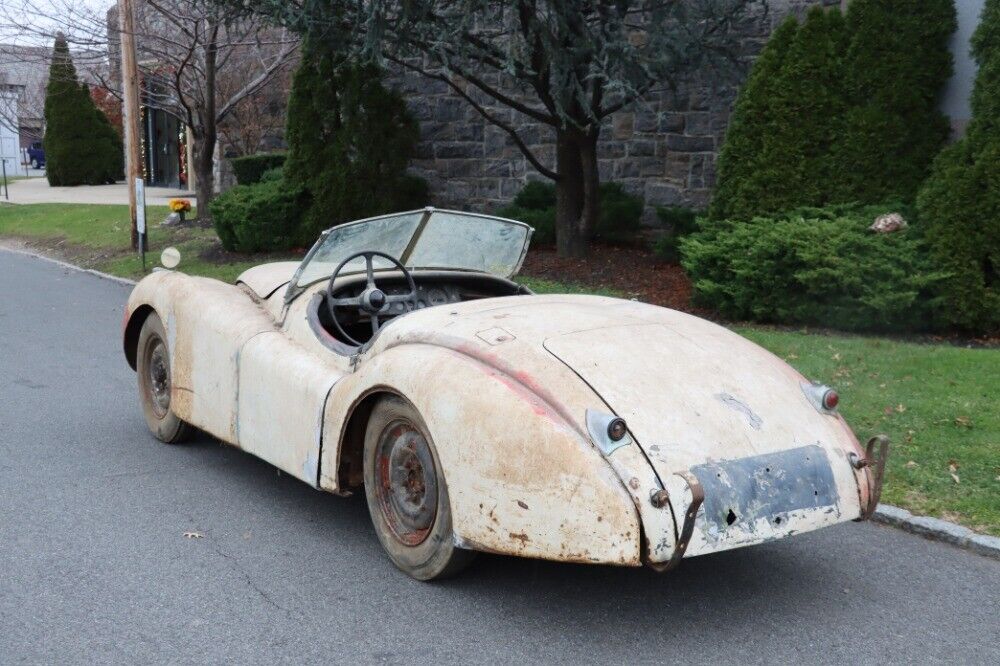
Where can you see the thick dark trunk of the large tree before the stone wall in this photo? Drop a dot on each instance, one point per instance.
(577, 193)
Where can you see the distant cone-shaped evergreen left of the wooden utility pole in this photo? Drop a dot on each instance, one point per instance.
(81, 147)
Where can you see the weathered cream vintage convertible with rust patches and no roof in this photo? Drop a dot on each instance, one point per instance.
(400, 357)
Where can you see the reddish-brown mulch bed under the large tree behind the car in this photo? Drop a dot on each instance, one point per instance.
(635, 271)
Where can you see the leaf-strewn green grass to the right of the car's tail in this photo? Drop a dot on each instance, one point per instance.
(938, 404)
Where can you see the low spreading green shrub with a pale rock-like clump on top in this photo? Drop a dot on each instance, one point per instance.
(813, 266)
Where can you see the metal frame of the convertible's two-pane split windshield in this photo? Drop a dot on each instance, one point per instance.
(294, 288)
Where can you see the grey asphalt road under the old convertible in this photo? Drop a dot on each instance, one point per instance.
(95, 568)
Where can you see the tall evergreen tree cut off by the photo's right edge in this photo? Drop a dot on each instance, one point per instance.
(959, 205)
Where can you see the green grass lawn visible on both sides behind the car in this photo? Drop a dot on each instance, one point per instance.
(940, 404)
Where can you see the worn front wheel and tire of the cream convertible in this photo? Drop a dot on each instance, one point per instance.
(162, 422)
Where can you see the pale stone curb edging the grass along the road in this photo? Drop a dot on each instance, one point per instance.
(925, 526)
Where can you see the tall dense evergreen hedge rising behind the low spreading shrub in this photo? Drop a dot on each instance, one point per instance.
(839, 111)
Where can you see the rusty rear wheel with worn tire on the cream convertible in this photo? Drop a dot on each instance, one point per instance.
(407, 495)
